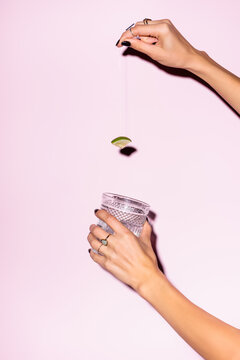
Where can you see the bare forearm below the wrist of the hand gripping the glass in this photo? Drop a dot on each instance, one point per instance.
(209, 336)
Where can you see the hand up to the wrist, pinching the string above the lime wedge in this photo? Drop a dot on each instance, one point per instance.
(162, 42)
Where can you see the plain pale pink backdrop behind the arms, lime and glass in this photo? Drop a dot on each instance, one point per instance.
(66, 92)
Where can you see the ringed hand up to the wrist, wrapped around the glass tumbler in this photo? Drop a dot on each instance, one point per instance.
(128, 258)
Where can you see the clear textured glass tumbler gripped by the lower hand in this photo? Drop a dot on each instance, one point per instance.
(132, 213)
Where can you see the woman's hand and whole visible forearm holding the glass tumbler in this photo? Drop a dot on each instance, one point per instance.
(133, 261)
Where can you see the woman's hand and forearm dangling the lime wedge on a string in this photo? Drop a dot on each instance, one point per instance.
(161, 41)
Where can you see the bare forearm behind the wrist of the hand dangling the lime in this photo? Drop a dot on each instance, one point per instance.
(223, 81)
